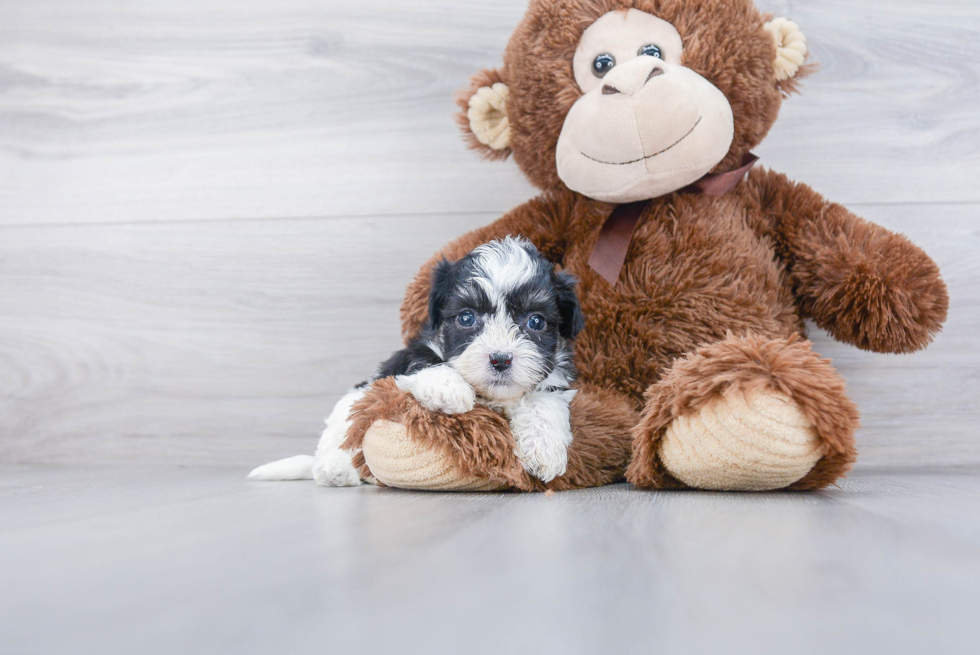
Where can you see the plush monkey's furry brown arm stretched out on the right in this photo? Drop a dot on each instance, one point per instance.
(865, 285)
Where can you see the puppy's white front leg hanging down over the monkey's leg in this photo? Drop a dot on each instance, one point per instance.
(540, 424)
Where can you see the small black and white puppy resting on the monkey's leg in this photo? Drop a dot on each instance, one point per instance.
(501, 321)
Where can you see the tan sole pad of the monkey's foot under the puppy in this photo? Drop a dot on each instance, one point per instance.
(398, 461)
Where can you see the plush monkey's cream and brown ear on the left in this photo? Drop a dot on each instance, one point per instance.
(484, 114)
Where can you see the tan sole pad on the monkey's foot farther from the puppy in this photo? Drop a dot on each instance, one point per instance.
(752, 441)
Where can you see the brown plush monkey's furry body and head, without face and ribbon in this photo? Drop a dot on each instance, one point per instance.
(694, 368)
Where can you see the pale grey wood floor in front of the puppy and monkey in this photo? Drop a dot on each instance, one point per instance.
(157, 560)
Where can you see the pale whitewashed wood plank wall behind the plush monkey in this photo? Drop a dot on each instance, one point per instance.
(209, 209)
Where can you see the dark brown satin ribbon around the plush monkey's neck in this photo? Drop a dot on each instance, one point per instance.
(609, 253)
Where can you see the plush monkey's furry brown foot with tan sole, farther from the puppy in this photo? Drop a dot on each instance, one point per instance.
(745, 413)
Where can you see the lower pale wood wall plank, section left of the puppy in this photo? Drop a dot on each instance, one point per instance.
(191, 340)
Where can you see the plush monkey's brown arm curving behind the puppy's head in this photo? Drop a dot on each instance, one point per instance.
(540, 220)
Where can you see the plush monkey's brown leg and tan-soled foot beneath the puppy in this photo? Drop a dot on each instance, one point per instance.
(402, 444)
